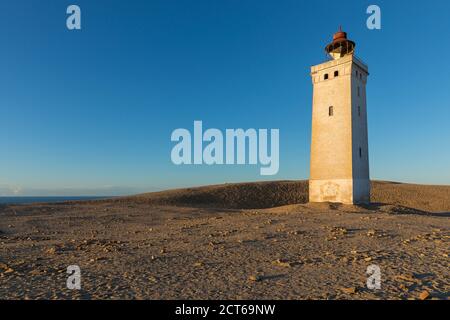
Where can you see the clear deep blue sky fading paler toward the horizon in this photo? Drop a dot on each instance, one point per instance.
(91, 112)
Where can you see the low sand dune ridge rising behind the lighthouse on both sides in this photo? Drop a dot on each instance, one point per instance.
(271, 194)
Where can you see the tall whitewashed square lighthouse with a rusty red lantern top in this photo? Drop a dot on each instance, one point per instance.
(339, 168)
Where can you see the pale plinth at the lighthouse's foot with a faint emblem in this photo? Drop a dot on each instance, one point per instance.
(347, 191)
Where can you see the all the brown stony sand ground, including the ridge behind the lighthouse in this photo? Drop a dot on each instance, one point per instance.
(144, 248)
